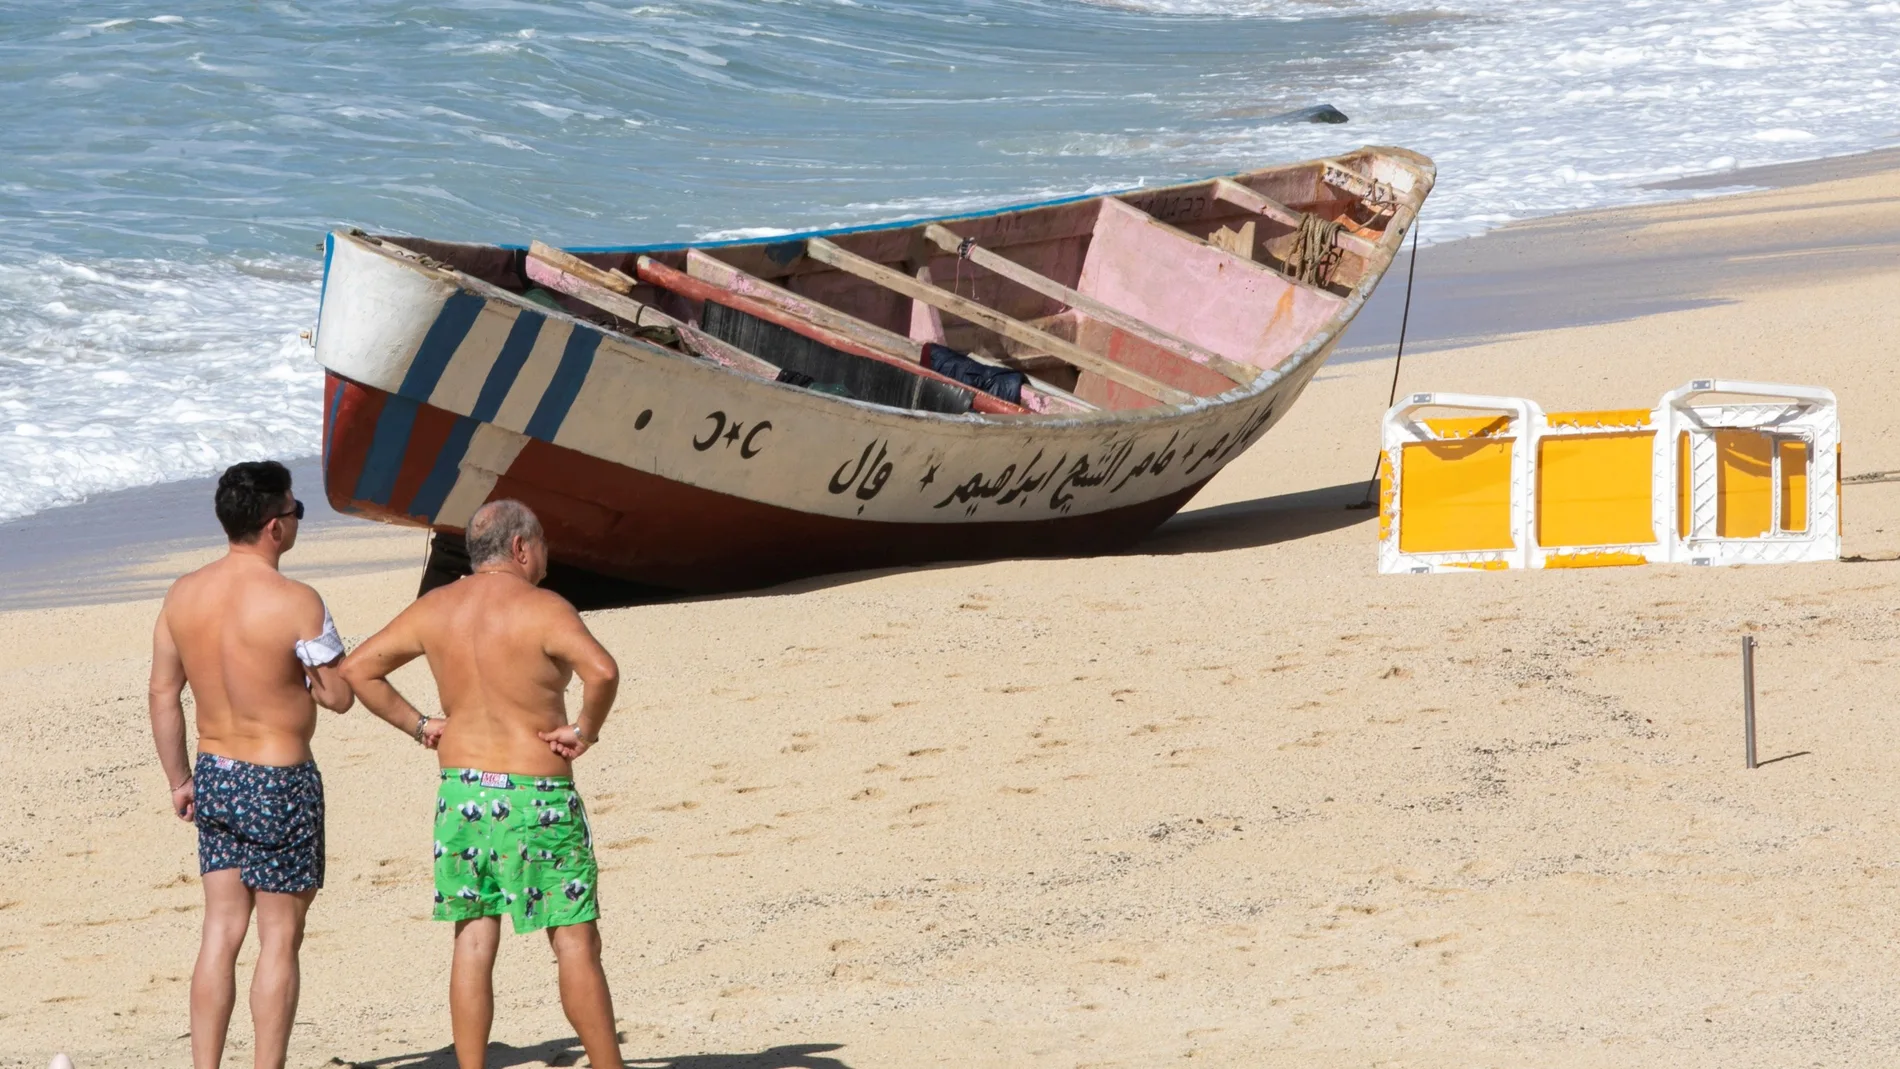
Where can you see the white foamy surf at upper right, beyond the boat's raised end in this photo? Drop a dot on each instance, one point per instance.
(1532, 109)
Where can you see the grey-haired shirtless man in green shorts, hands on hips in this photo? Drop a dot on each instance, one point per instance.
(510, 831)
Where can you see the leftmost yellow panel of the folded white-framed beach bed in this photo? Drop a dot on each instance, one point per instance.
(1454, 497)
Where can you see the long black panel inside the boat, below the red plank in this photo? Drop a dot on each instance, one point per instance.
(862, 379)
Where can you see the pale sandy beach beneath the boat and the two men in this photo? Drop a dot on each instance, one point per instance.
(1230, 798)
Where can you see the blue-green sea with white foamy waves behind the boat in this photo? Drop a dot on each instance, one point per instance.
(170, 166)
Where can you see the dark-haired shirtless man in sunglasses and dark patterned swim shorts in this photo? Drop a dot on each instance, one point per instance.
(259, 654)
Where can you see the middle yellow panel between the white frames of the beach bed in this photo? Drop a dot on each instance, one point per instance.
(1595, 491)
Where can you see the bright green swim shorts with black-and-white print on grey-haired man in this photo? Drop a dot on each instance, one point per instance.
(516, 846)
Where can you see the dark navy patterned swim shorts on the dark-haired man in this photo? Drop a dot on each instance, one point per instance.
(263, 821)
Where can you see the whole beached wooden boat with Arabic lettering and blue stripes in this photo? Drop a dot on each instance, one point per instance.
(1040, 381)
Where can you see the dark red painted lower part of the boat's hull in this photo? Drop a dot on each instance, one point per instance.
(645, 529)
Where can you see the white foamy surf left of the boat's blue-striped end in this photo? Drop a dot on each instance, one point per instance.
(128, 373)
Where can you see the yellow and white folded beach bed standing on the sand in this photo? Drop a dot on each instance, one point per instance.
(1717, 474)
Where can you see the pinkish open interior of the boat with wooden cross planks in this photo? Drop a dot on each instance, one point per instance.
(1118, 303)
